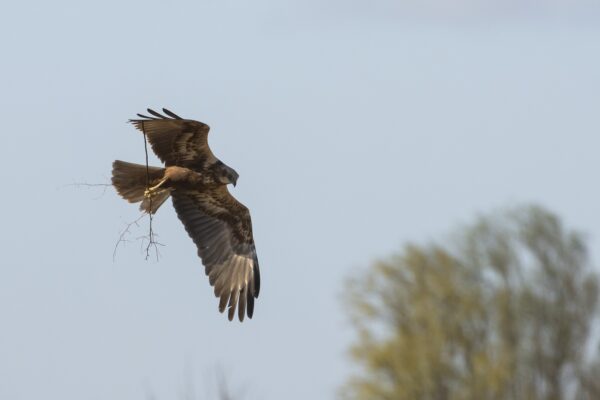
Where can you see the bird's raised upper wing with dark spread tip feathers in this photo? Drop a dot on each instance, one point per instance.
(176, 141)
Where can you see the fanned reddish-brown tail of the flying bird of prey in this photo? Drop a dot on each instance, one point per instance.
(131, 181)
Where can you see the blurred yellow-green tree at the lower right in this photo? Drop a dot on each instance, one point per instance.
(504, 310)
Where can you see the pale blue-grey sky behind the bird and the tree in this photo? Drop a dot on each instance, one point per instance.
(355, 127)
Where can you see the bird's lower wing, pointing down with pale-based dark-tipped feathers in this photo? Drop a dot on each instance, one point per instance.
(222, 230)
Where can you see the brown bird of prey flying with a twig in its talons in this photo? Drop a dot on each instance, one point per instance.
(196, 180)
